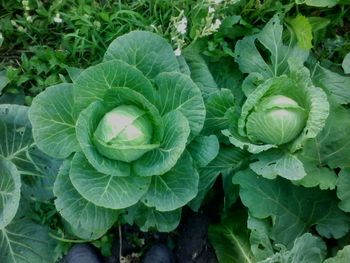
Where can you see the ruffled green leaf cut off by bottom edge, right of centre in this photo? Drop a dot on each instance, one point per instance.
(306, 249)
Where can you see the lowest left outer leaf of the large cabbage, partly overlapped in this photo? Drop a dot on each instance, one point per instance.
(78, 211)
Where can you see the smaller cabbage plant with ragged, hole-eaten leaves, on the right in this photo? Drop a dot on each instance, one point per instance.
(282, 109)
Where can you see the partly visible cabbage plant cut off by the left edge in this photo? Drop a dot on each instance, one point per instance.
(26, 176)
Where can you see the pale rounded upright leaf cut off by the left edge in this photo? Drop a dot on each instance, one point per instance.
(10, 191)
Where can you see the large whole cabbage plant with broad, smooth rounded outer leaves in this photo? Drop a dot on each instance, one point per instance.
(129, 131)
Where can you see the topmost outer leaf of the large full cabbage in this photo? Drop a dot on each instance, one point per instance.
(146, 51)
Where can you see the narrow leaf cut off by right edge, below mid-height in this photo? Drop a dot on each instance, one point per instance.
(343, 189)
